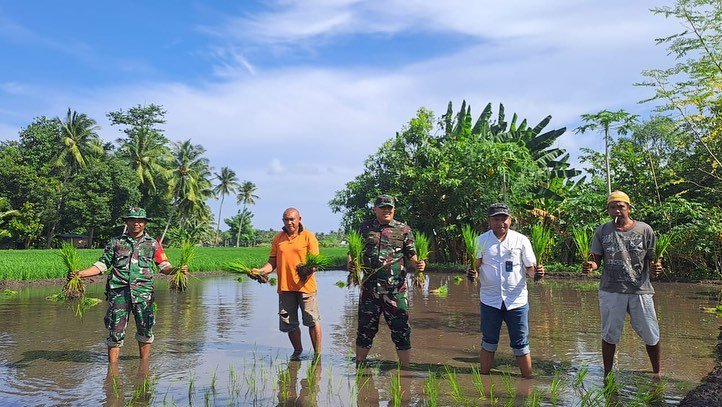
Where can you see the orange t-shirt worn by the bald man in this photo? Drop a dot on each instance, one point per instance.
(289, 253)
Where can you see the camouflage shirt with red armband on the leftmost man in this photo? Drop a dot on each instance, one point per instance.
(132, 263)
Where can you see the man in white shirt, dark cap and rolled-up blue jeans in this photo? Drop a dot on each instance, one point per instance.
(503, 260)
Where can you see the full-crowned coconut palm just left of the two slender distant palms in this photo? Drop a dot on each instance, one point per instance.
(190, 183)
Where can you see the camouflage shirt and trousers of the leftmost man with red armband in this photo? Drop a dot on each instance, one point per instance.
(130, 285)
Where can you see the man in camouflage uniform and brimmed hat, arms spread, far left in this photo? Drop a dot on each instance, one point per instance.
(129, 259)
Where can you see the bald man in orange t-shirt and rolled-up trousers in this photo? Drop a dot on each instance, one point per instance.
(288, 250)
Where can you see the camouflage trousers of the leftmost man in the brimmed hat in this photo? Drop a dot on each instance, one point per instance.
(120, 306)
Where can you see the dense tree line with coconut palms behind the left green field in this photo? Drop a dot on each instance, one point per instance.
(61, 177)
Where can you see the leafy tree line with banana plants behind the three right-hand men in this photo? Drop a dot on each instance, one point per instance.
(446, 170)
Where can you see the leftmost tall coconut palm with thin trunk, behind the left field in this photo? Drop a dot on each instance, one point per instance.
(77, 142)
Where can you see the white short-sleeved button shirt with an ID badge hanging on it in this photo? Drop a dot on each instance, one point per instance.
(502, 275)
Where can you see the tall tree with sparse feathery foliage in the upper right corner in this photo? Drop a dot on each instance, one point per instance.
(691, 90)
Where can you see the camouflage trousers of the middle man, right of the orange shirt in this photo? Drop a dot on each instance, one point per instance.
(395, 310)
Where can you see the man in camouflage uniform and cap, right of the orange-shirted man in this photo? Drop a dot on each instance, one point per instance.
(388, 250)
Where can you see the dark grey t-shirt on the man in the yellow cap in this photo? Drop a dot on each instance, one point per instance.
(626, 255)
